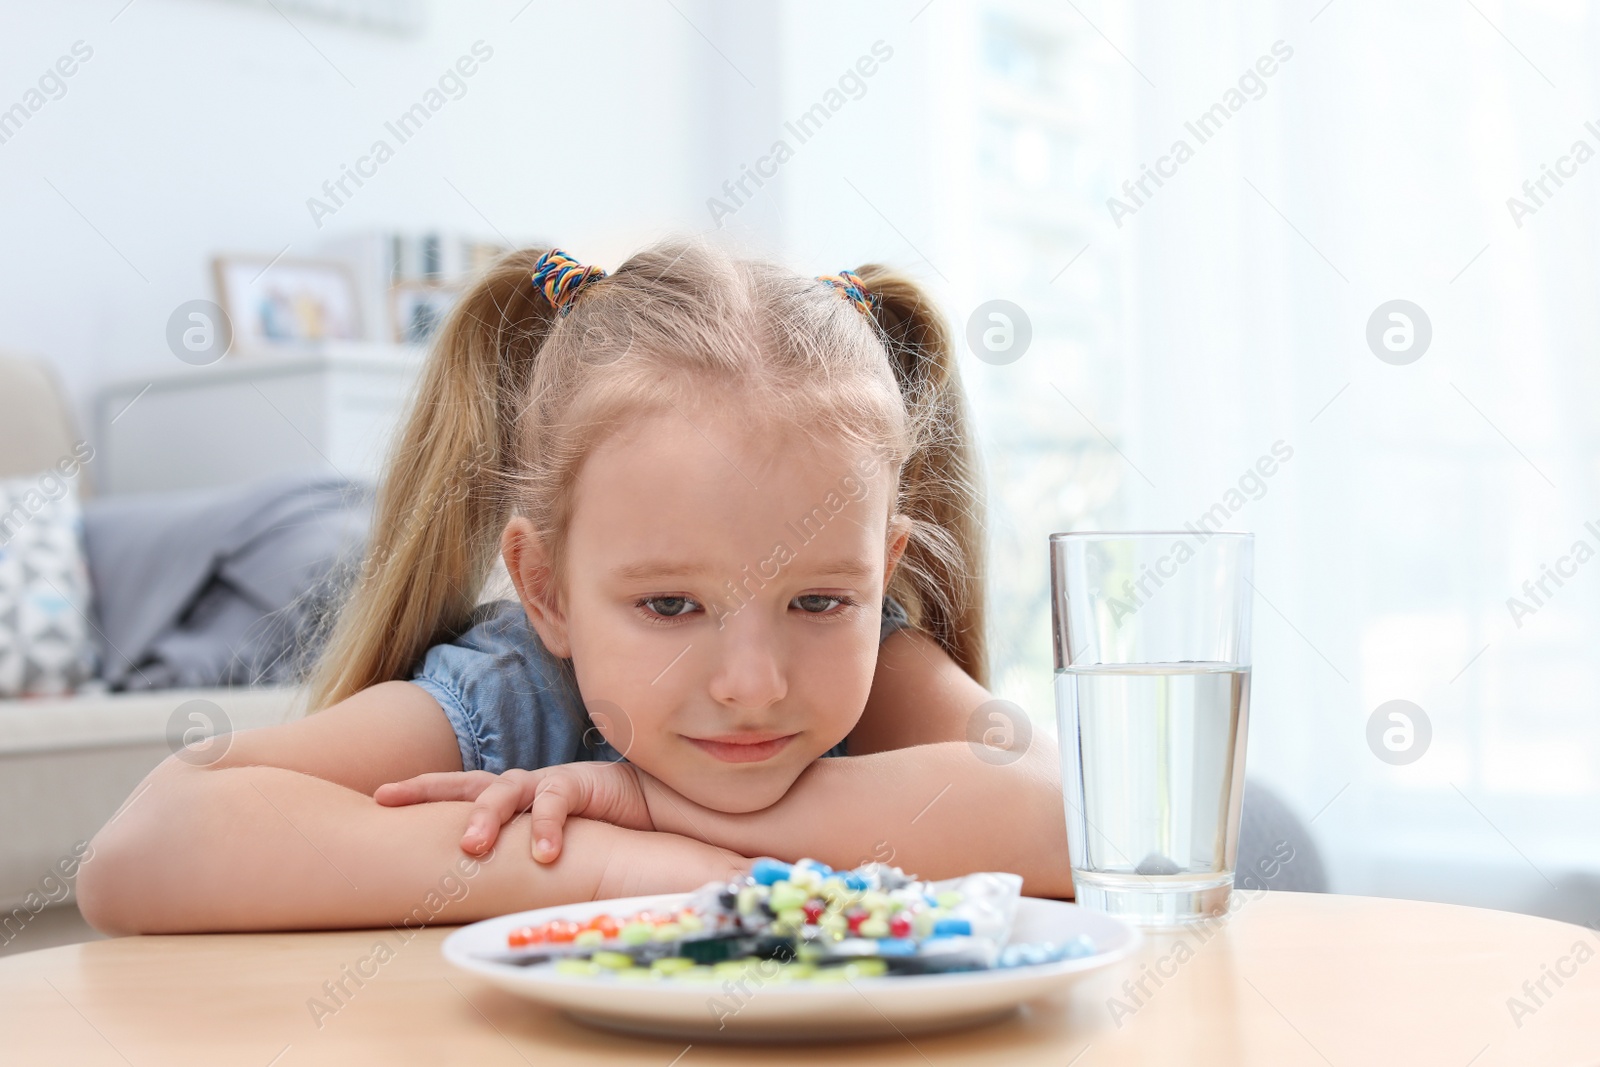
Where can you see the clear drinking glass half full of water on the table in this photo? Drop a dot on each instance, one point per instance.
(1153, 695)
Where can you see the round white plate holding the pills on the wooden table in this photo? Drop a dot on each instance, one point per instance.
(873, 1007)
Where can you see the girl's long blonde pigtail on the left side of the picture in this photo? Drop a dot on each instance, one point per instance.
(442, 503)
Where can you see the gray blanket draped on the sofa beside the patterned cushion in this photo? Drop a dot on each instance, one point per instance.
(218, 588)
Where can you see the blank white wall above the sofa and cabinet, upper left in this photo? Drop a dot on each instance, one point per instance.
(206, 126)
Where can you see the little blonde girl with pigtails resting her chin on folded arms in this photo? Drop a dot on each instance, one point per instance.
(738, 511)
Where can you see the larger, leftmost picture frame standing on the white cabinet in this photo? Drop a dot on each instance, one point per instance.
(289, 303)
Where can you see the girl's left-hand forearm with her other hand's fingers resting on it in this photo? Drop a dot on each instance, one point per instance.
(265, 849)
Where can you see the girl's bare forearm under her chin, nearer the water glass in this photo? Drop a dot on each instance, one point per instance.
(934, 810)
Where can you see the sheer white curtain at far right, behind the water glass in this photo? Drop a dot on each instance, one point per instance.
(1377, 166)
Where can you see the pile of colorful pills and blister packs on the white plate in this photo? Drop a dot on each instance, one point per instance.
(801, 922)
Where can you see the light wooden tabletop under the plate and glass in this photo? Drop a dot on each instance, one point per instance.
(1289, 980)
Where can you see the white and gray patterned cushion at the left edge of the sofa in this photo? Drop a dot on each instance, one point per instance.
(46, 642)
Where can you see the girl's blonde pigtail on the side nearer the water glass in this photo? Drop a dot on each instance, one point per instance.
(942, 577)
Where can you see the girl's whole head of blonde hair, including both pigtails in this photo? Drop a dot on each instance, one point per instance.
(516, 396)
